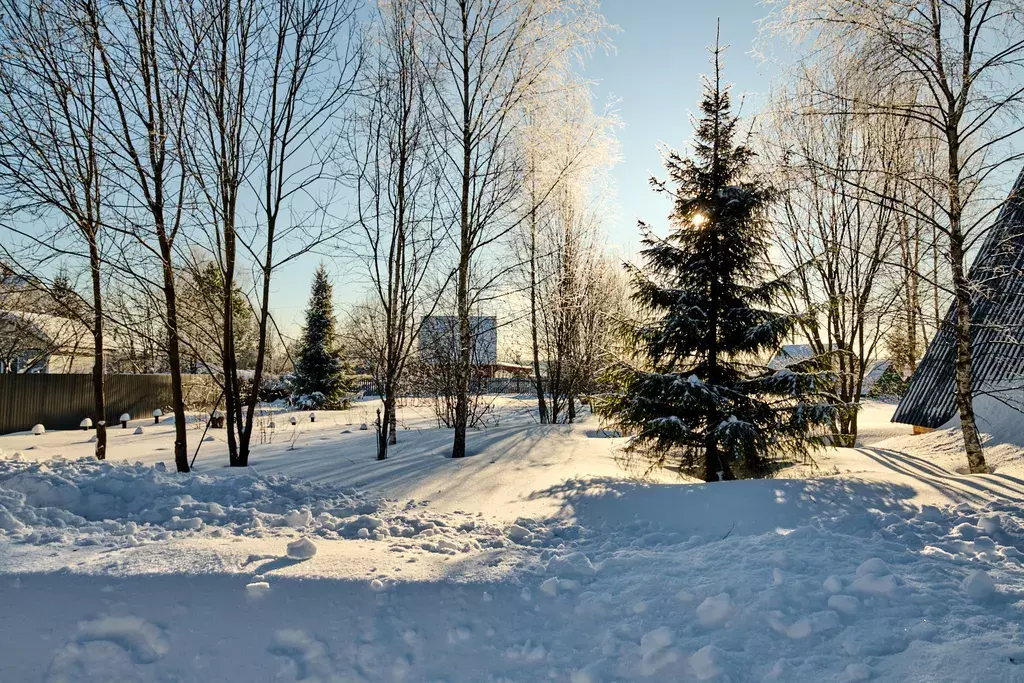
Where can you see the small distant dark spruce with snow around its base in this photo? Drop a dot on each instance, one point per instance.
(320, 379)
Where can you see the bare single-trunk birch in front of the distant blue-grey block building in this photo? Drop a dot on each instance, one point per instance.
(490, 59)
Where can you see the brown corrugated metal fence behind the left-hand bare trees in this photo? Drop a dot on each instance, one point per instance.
(60, 402)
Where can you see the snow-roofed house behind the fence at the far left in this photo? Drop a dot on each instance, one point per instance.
(42, 344)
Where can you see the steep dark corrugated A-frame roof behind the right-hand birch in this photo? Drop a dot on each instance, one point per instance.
(998, 328)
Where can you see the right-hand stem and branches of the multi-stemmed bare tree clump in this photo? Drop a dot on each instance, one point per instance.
(310, 73)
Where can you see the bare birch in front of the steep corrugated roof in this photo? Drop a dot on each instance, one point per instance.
(963, 62)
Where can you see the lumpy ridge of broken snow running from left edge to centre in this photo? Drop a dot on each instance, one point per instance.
(91, 503)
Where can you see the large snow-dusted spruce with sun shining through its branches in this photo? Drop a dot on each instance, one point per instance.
(695, 389)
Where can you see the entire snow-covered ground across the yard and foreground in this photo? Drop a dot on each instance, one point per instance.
(536, 559)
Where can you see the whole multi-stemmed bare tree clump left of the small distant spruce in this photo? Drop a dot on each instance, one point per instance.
(271, 79)
